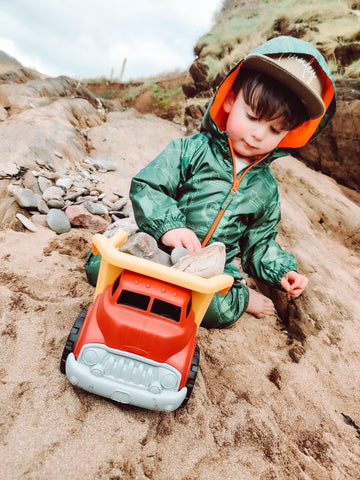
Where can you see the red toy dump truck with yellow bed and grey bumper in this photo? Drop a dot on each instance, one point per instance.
(137, 342)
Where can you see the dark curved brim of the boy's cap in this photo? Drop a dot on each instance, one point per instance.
(264, 64)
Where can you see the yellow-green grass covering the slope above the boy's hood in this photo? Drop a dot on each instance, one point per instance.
(240, 30)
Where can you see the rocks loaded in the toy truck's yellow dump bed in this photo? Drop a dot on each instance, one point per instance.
(206, 263)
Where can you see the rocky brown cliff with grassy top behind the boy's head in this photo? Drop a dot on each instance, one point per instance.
(336, 151)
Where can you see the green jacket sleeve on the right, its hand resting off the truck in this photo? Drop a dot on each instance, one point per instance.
(262, 256)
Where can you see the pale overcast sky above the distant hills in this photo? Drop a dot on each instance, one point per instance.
(89, 38)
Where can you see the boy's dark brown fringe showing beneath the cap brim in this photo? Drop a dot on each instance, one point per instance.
(270, 99)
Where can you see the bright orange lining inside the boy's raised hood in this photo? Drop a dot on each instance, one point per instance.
(295, 138)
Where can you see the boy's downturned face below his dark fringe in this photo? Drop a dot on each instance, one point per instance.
(250, 136)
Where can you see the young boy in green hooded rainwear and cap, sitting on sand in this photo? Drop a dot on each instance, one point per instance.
(217, 185)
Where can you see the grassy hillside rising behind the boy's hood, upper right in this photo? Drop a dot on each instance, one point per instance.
(331, 25)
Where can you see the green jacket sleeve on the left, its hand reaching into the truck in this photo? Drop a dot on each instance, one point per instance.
(153, 192)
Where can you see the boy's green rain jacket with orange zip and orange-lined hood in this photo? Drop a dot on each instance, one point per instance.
(195, 178)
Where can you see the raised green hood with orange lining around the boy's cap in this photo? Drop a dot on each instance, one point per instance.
(214, 120)
